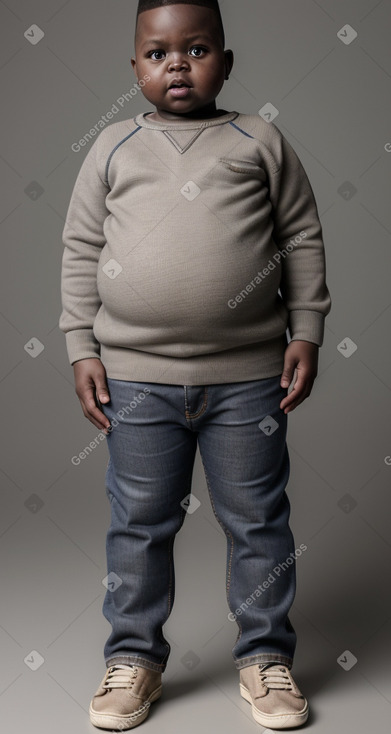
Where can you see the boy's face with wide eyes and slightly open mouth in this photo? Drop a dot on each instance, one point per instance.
(179, 46)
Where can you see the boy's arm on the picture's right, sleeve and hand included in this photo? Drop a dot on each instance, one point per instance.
(303, 287)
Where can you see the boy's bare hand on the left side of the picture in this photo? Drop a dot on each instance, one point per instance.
(90, 381)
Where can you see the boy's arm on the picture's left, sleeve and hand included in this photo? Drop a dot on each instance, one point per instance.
(83, 238)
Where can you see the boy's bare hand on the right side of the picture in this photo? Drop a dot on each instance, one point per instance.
(303, 357)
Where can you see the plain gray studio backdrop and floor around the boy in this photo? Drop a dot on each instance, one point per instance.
(331, 88)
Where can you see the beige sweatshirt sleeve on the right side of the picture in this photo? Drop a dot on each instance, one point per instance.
(298, 235)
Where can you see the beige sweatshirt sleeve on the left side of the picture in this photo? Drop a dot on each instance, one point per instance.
(83, 240)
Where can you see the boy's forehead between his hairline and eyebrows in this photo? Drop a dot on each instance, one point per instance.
(169, 21)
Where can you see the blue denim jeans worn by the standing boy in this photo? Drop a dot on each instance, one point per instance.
(152, 444)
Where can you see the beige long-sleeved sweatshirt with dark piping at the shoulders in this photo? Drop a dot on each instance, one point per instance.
(190, 248)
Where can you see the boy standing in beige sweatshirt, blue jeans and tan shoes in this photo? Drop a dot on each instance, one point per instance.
(192, 243)
